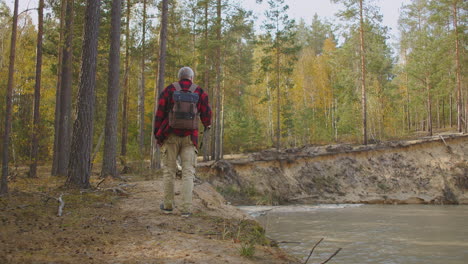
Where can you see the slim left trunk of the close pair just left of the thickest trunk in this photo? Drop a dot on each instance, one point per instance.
(63, 8)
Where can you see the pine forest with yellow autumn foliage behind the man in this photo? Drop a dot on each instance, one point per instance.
(288, 85)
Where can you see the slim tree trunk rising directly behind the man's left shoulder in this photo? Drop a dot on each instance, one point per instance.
(155, 160)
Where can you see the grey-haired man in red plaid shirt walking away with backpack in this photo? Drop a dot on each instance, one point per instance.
(180, 106)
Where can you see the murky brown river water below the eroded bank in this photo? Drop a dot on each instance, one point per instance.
(387, 234)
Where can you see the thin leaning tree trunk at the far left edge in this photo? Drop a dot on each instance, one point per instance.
(9, 103)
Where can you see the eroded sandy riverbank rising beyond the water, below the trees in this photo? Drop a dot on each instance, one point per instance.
(426, 171)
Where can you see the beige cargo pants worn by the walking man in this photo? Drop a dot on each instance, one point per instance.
(178, 146)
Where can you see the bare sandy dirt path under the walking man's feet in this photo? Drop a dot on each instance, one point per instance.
(198, 239)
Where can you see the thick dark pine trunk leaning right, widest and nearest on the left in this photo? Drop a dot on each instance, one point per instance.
(79, 169)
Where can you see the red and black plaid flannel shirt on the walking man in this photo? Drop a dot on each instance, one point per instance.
(165, 104)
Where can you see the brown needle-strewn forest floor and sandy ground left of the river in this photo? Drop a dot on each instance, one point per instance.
(120, 222)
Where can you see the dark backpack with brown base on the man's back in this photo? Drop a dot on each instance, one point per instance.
(184, 112)
